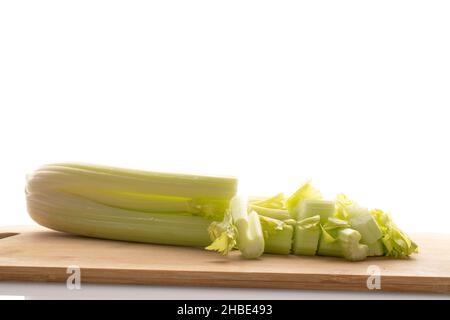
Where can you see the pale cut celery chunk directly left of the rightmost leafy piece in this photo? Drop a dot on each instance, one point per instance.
(361, 220)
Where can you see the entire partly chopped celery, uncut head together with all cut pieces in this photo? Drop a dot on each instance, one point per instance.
(204, 211)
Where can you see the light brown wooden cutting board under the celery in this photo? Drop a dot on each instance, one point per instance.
(34, 253)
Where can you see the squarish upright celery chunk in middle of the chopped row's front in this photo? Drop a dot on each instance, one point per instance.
(306, 236)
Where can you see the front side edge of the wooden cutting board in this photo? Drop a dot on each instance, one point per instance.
(437, 285)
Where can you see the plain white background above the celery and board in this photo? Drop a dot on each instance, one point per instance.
(353, 94)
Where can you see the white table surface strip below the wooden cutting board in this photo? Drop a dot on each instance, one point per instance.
(25, 290)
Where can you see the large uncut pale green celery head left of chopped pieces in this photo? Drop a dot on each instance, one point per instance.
(130, 205)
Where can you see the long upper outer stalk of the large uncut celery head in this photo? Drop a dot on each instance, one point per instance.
(138, 190)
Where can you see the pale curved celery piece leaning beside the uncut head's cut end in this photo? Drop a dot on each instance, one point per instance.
(250, 238)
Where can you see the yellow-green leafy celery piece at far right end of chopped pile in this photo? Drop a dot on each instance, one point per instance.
(397, 244)
